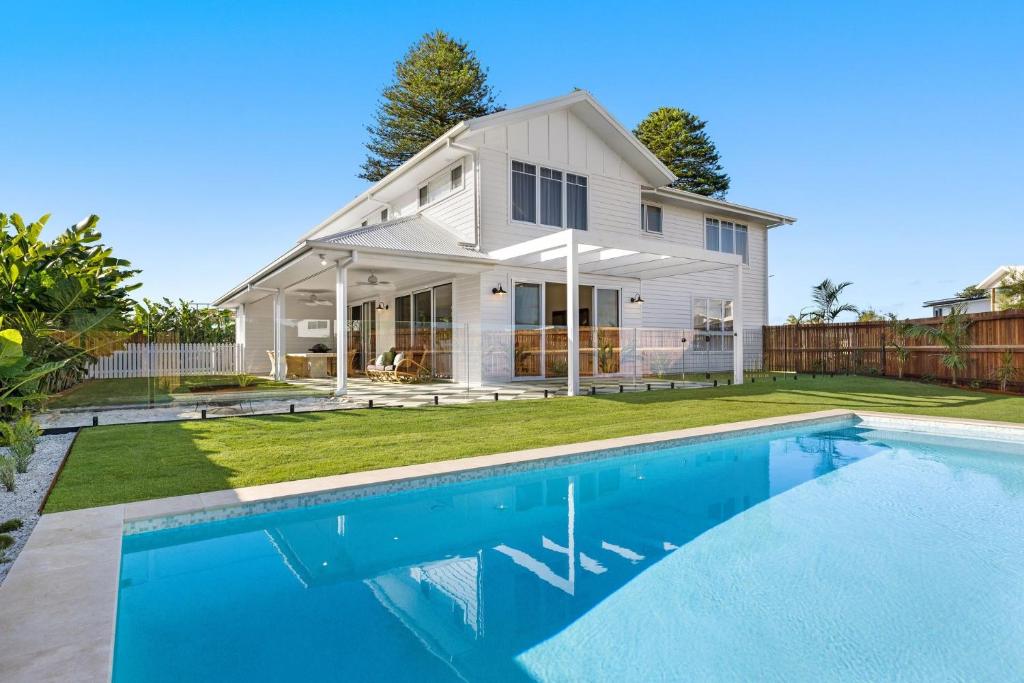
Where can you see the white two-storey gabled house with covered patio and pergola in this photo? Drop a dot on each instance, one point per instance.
(539, 242)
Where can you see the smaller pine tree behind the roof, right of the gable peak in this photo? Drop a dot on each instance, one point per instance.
(678, 139)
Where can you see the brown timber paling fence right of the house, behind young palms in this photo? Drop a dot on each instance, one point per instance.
(865, 349)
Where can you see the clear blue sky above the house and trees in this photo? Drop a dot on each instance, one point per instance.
(210, 136)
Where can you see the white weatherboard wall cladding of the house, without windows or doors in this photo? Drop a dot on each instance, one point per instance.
(571, 135)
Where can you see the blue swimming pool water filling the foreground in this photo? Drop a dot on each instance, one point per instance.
(824, 553)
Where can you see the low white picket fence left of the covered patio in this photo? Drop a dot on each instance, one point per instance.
(168, 361)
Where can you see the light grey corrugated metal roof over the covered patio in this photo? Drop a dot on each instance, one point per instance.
(412, 234)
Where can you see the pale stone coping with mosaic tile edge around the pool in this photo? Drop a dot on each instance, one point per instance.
(59, 604)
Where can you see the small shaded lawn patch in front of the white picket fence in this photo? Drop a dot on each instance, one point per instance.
(156, 391)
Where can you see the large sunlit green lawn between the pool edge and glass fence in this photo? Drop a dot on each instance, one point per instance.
(136, 462)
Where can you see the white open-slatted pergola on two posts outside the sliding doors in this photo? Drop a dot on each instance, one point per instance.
(581, 252)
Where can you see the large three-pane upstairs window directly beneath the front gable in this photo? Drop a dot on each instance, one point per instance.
(548, 197)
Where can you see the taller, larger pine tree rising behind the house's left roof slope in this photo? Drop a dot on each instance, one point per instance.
(439, 83)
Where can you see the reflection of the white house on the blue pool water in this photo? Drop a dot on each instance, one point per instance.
(518, 563)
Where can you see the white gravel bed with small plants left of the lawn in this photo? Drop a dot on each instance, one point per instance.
(31, 488)
